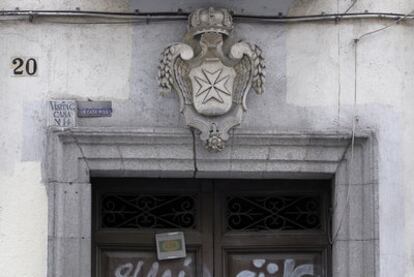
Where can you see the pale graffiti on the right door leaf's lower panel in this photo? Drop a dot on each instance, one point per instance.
(273, 268)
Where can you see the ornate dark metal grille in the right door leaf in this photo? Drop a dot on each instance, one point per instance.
(256, 213)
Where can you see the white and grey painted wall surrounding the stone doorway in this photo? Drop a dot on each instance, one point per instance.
(310, 88)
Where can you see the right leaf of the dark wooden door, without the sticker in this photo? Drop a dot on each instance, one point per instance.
(271, 228)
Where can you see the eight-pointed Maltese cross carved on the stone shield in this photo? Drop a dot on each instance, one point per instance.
(212, 84)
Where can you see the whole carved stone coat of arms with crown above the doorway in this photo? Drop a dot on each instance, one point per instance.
(212, 75)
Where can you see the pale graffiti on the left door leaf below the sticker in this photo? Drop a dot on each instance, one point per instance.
(129, 270)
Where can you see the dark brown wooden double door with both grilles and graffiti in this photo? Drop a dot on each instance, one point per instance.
(232, 228)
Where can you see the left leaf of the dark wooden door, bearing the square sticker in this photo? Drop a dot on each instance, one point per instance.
(128, 214)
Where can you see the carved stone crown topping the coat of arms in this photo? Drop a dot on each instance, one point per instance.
(210, 20)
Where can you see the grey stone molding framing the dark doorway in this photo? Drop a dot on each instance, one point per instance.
(75, 155)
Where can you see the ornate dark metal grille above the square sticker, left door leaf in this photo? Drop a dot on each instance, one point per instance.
(140, 211)
